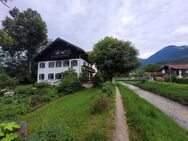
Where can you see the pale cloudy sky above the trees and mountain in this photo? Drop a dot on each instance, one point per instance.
(148, 24)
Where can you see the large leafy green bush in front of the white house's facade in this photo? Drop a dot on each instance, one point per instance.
(70, 82)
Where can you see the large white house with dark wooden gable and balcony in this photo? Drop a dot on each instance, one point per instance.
(58, 57)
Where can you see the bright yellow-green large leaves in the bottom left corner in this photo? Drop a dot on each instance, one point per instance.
(8, 131)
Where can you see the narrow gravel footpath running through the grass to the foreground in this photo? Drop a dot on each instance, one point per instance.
(121, 132)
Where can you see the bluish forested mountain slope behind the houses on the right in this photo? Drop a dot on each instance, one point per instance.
(169, 54)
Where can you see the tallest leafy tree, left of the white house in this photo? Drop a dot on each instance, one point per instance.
(22, 34)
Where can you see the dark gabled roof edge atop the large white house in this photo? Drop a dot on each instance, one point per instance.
(58, 40)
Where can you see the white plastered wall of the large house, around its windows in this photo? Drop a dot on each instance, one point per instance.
(61, 69)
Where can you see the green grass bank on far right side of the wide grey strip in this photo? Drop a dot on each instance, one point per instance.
(174, 91)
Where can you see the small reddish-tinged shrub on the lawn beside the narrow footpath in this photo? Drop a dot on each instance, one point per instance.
(100, 105)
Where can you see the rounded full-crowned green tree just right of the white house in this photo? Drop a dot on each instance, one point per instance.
(114, 57)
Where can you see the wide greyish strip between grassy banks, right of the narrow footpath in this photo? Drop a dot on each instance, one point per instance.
(176, 111)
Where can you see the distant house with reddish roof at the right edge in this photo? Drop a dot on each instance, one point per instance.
(181, 70)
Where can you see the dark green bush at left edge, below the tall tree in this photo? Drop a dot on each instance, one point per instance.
(6, 81)
